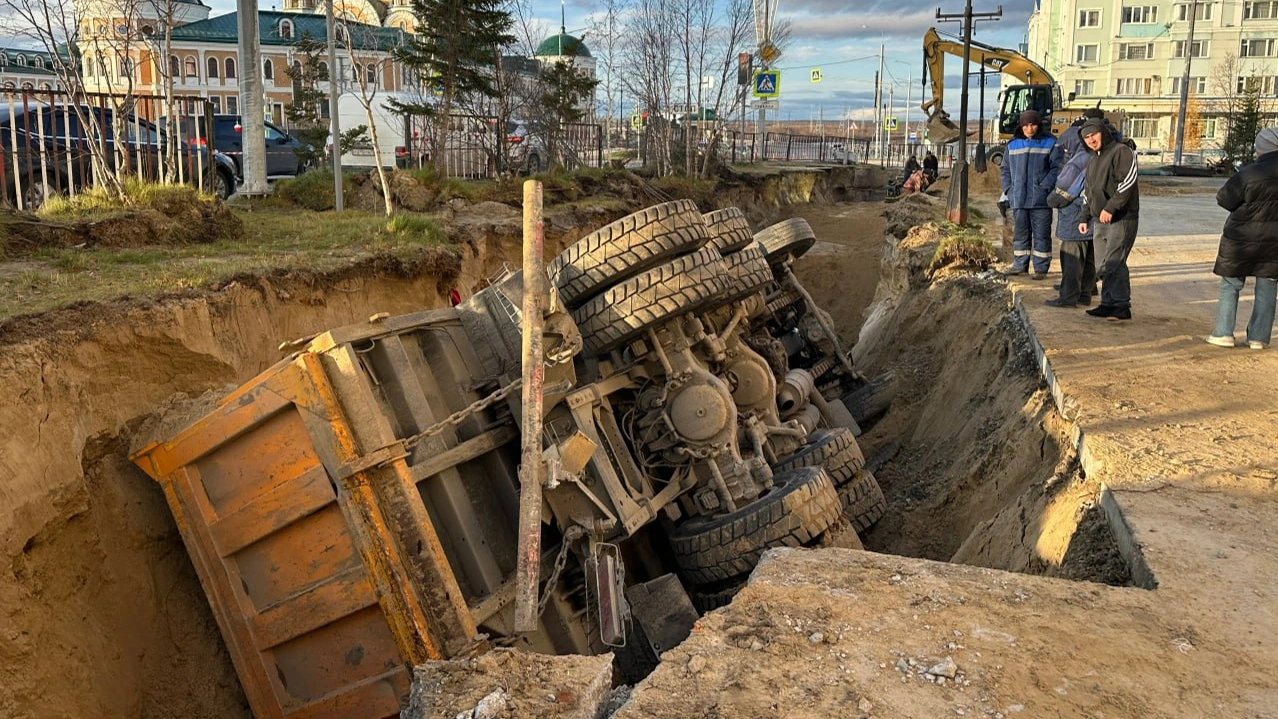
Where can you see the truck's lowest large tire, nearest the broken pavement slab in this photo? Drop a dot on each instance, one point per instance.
(802, 505)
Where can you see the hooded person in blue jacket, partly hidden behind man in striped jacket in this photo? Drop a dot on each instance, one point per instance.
(1078, 260)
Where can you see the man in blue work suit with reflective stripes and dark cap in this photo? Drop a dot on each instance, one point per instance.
(1029, 174)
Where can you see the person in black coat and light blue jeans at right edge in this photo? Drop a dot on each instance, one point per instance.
(1249, 246)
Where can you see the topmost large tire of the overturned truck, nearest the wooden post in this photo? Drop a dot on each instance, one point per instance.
(626, 248)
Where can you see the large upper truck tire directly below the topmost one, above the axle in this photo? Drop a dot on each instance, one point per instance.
(678, 288)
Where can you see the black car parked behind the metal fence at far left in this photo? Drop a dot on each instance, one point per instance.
(45, 151)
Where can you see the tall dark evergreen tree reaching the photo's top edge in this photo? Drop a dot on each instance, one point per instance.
(454, 54)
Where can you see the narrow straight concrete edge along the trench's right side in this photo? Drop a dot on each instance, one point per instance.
(1068, 407)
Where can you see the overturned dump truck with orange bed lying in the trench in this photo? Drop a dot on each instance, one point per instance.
(353, 510)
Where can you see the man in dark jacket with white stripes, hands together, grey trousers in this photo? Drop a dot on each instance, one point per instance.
(1111, 196)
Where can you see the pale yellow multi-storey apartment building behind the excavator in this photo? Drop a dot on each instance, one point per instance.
(1132, 56)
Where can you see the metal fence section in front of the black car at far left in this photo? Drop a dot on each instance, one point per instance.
(53, 144)
